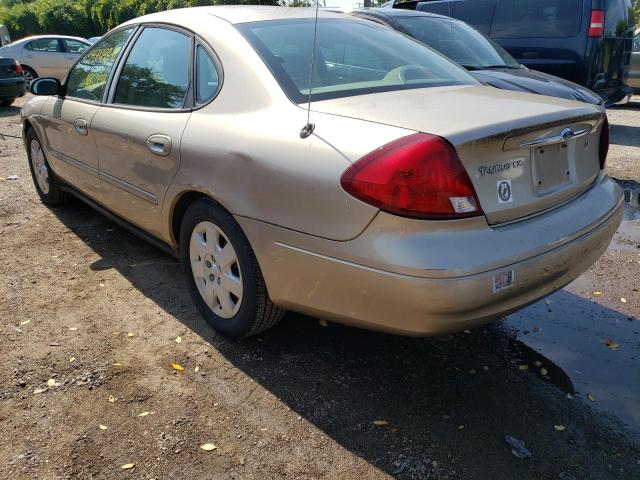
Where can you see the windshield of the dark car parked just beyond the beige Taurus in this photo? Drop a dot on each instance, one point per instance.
(458, 41)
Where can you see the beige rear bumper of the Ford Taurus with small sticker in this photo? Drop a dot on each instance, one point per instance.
(311, 278)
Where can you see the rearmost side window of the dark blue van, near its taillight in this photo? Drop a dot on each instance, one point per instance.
(537, 18)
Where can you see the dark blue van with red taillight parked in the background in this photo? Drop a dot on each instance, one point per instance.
(588, 42)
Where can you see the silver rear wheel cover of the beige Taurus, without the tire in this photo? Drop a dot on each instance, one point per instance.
(215, 269)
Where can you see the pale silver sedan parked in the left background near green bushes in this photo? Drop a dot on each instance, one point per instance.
(46, 55)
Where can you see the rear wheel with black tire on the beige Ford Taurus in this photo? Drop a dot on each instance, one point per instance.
(226, 284)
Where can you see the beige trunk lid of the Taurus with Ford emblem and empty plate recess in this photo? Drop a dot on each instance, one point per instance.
(523, 153)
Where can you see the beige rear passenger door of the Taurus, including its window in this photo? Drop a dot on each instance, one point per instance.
(138, 132)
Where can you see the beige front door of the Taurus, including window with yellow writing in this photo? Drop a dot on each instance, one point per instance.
(67, 120)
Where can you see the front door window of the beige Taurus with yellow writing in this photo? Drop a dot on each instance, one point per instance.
(88, 78)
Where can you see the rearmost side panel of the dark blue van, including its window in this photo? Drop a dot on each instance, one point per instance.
(545, 35)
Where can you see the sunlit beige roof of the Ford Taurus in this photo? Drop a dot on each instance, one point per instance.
(234, 14)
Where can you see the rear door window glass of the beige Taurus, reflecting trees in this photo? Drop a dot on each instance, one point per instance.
(156, 73)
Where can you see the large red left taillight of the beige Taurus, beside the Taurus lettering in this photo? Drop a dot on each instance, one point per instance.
(417, 176)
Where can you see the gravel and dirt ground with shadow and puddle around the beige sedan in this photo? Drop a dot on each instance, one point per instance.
(91, 320)
